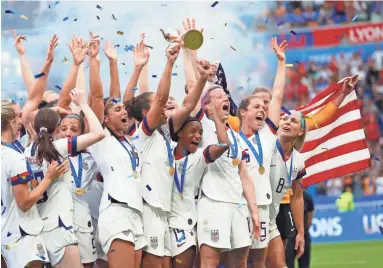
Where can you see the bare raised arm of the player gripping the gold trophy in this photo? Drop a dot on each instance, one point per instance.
(162, 95)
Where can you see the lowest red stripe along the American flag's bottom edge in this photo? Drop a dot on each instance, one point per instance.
(336, 172)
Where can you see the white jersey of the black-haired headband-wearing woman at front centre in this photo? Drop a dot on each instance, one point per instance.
(184, 211)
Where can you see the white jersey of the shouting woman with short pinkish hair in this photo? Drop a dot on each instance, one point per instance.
(221, 181)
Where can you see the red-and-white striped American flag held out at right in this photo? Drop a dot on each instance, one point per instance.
(338, 147)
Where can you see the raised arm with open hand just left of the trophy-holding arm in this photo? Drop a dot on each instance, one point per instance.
(140, 58)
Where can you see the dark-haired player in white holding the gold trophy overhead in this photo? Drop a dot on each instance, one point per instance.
(158, 166)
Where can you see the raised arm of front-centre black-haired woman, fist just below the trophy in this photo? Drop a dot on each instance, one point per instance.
(191, 99)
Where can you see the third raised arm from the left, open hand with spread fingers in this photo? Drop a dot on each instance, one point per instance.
(78, 50)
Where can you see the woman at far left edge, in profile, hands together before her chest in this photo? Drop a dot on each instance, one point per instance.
(22, 242)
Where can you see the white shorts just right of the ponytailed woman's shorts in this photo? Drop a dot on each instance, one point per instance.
(87, 246)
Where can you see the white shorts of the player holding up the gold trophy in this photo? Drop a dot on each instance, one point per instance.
(157, 231)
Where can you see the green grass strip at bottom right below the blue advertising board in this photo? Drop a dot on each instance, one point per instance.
(351, 254)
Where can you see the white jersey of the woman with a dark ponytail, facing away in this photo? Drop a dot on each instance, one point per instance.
(56, 204)
